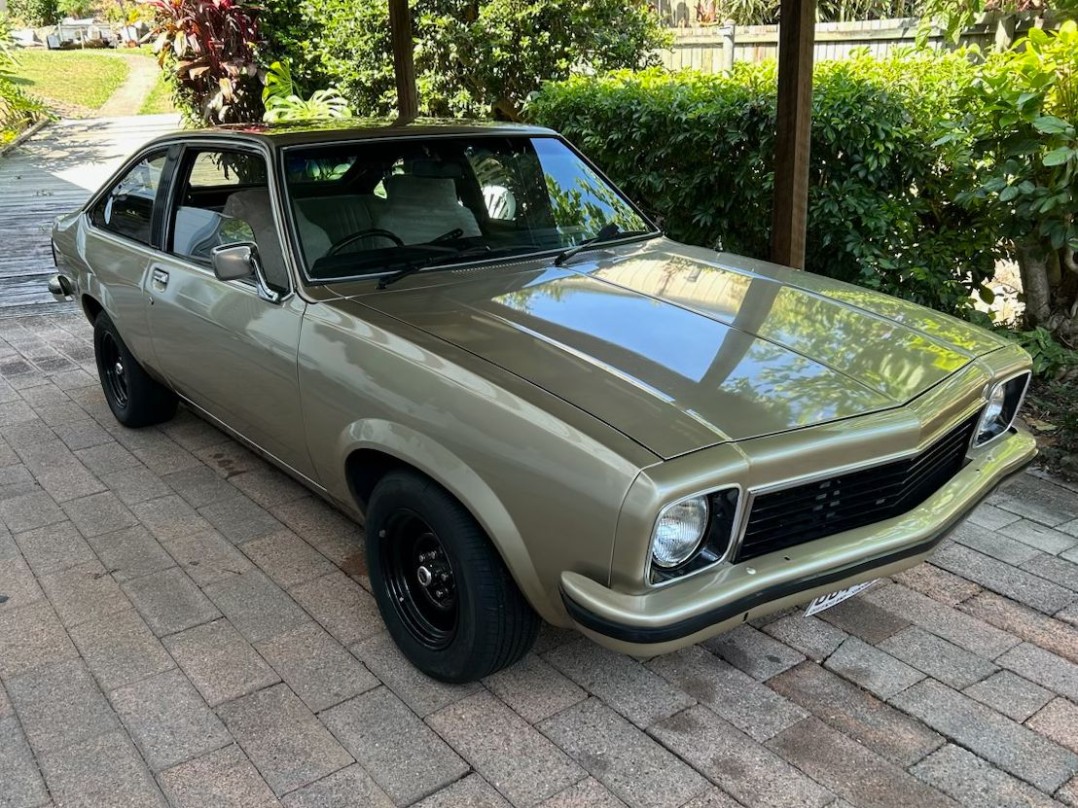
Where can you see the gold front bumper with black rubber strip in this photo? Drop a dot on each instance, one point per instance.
(678, 616)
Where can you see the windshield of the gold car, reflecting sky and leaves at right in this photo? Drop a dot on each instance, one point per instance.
(372, 207)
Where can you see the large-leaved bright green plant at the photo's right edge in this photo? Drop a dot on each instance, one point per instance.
(1020, 143)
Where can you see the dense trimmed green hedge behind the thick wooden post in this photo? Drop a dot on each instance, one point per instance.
(698, 150)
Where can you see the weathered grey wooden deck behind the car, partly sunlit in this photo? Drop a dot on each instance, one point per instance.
(51, 174)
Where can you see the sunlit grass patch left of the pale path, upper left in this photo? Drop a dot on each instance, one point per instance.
(73, 78)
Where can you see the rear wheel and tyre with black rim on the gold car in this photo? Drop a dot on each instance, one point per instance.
(135, 399)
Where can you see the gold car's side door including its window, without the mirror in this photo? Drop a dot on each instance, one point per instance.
(224, 344)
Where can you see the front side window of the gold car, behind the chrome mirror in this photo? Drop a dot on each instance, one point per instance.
(224, 199)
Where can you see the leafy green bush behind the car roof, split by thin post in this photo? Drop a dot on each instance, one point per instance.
(473, 58)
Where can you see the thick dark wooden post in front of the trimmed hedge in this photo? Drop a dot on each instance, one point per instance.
(794, 124)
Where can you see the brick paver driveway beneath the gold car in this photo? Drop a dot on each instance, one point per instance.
(181, 624)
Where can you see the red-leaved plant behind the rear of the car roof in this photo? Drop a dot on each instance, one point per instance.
(210, 48)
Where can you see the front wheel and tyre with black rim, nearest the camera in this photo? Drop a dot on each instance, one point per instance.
(469, 620)
